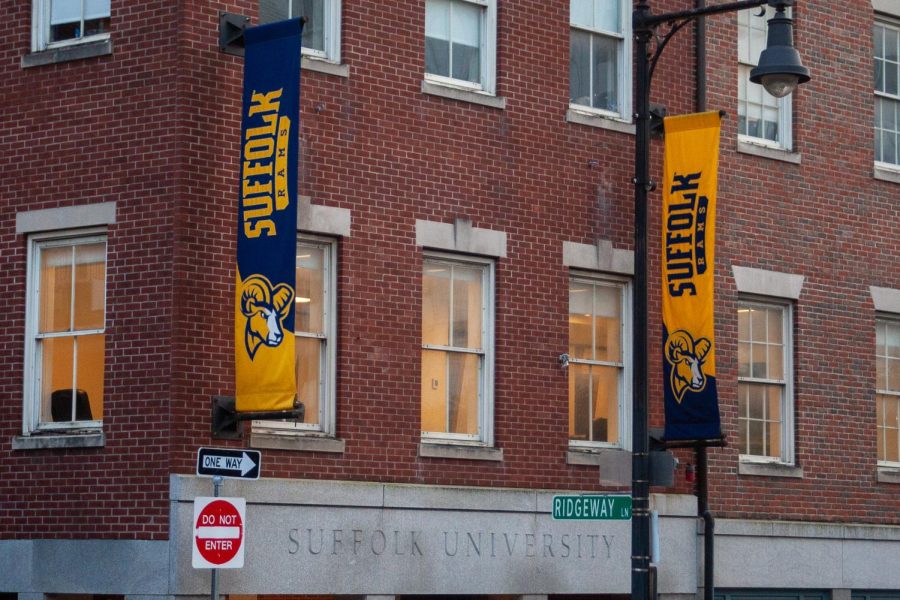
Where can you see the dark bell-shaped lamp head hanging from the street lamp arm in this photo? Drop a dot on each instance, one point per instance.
(780, 70)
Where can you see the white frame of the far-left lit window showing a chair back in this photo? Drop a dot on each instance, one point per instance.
(31, 415)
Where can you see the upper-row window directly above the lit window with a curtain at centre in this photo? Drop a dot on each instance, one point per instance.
(460, 43)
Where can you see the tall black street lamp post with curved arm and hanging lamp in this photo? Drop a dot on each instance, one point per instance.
(779, 71)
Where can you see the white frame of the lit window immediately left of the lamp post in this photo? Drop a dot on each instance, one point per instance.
(624, 284)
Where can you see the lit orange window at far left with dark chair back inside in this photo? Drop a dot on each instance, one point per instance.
(65, 323)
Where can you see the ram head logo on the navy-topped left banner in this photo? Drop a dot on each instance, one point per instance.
(265, 308)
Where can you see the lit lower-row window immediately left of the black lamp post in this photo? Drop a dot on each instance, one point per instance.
(599, 381)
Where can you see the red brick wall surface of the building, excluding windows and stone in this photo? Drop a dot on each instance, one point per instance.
(375, 144)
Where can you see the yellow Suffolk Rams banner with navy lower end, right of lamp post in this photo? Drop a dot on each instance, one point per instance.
(688, 276)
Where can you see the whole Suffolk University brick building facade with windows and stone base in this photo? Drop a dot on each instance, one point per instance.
(120, 150)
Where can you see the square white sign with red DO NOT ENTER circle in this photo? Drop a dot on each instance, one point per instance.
(218, 533)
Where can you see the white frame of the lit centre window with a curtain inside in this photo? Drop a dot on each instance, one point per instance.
(485, 435)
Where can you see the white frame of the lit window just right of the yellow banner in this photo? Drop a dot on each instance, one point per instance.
(787, 398)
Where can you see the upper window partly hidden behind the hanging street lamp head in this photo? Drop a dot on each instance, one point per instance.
(762, 118)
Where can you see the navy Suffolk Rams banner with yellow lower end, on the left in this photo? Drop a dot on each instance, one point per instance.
(265, 377)
